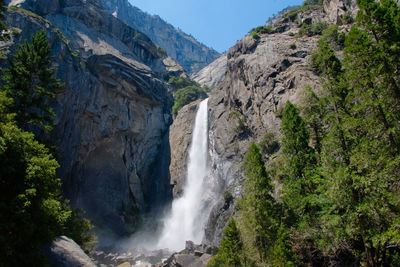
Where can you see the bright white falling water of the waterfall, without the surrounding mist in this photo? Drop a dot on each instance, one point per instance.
(186, 221)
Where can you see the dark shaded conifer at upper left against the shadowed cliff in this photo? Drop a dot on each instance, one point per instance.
(30, 82)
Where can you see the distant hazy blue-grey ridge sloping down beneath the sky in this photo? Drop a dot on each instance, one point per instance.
(191, 54)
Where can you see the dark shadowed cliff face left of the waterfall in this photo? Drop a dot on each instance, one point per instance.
(113, 116)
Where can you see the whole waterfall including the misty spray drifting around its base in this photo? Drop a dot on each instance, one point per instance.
(188, 214)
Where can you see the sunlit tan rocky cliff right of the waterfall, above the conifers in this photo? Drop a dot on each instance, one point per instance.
(262, 75)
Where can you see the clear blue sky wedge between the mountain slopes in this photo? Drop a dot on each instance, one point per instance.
(216, 23)
